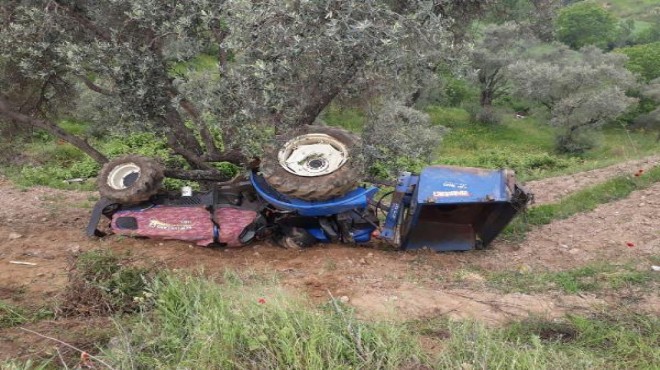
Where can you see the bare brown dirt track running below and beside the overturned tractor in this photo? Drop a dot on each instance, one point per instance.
(45, 227)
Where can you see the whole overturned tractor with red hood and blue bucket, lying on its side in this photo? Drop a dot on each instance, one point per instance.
(309, 191)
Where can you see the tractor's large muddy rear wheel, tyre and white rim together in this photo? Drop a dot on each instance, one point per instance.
(314, 163)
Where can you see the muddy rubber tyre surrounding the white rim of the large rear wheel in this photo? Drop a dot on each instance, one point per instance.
(317, 187)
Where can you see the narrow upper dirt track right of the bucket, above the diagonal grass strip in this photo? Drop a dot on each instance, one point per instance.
(552, 189)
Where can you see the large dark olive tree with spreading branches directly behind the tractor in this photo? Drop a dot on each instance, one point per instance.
(278, 65)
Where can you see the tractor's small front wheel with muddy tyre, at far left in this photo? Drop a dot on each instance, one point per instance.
(130, 179)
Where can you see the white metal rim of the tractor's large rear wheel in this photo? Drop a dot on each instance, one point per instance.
(312, 155)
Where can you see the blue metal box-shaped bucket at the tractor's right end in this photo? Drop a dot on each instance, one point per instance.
(460, 208)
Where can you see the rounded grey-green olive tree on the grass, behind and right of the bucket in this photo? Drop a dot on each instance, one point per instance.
(583, 90)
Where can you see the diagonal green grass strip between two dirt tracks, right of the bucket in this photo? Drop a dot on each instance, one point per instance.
(584, 200)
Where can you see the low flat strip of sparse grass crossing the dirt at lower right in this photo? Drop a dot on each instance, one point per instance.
(590, 278)
